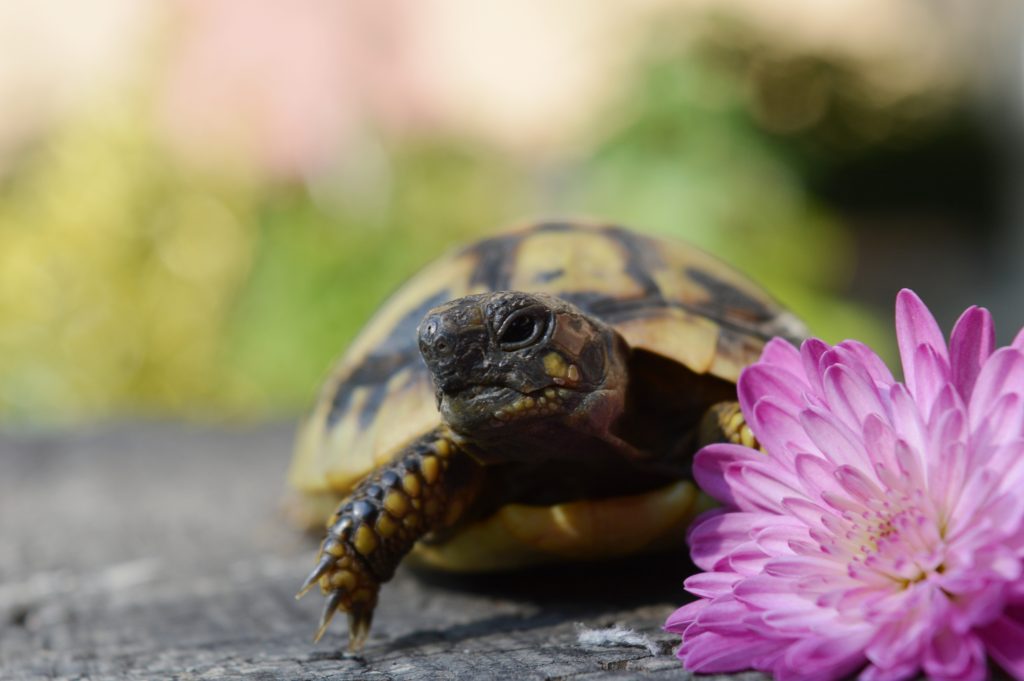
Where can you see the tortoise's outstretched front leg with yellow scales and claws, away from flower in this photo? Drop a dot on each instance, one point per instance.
(425, 489)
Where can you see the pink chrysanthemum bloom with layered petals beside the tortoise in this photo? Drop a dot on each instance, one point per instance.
(883, 530)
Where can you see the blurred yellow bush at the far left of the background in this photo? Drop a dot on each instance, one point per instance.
(118, 275)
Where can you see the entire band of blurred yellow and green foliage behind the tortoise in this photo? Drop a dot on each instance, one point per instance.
(131, 285)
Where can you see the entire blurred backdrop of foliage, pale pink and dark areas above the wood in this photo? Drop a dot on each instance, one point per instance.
(202, 201)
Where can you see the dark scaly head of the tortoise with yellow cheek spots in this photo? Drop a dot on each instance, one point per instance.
(508, 358)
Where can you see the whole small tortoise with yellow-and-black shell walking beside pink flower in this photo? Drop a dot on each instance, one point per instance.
(537, 396)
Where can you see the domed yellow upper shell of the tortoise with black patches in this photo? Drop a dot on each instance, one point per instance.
(663, 296)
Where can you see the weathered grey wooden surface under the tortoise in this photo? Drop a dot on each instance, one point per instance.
(160, 552)
